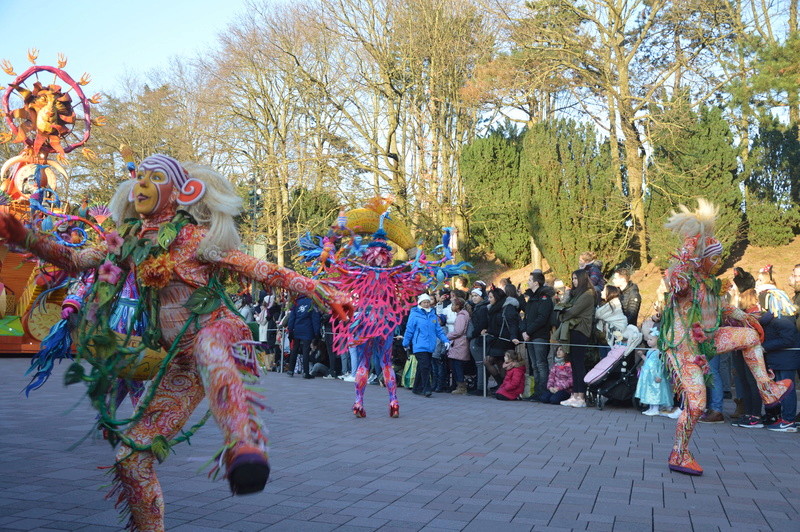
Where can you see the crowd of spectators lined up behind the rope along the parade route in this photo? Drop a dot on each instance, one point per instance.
(537, 342)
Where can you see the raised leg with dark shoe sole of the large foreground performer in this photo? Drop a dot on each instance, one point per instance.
(216, 350)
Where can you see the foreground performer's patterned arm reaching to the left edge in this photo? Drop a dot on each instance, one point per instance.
(71, 260)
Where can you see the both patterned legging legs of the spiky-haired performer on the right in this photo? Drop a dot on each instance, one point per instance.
(692, 383)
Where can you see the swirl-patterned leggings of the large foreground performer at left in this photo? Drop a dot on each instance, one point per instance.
(208, 368)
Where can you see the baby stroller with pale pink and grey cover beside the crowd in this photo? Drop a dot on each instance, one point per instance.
(614, 377)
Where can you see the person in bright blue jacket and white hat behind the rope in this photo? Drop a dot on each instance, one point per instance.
(422, 331)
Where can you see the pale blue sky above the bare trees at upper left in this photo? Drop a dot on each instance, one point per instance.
(110, 39)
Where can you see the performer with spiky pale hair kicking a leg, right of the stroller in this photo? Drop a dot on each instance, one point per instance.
(696, 325)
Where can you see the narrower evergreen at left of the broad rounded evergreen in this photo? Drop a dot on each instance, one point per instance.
(490, 170)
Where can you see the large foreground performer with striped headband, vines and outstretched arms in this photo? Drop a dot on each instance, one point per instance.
(178, 236)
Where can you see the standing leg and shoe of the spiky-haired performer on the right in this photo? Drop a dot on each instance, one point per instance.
(693, 388)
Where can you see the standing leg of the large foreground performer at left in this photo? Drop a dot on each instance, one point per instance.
(179, 392)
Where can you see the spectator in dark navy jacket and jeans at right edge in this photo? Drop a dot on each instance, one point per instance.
(780, 336)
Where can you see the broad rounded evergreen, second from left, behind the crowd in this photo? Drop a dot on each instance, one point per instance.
(570, 199)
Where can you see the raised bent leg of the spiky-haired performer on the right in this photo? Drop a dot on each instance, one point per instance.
(746, 339)
